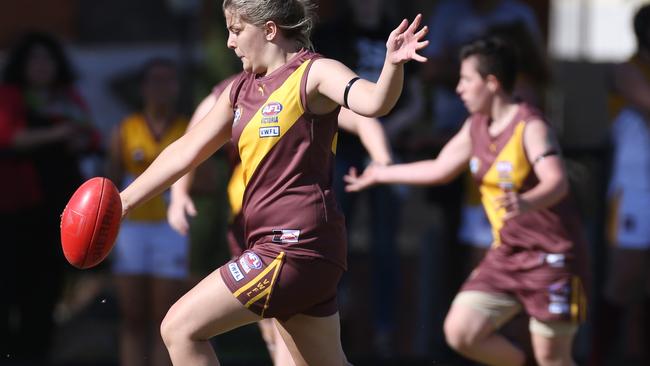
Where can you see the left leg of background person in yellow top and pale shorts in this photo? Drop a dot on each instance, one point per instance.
(134, 313)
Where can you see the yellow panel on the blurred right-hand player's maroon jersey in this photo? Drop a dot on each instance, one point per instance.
(514, 155)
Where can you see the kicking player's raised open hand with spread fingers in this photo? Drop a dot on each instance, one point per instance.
(403, 42)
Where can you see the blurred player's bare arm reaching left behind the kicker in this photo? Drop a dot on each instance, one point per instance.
(451, 161)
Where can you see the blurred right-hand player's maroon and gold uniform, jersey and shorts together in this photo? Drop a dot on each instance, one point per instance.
(539, 256)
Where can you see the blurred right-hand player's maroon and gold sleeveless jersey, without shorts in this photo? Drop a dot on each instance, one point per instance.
(499, 163)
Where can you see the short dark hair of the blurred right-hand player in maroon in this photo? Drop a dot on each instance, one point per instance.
(495, 57)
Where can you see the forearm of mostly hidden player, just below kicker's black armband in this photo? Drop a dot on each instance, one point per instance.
(370, 132)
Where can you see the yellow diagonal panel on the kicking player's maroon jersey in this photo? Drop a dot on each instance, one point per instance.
(252, 147)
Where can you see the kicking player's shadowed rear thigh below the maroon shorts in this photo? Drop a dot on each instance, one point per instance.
(314, 341)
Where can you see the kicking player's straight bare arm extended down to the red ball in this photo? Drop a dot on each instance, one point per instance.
(182, 155)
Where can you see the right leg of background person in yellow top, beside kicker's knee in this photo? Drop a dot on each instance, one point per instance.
(165, 293)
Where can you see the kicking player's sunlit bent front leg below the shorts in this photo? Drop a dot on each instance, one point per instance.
(205, 311)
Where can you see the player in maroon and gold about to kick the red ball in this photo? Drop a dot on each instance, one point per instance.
(281, 113)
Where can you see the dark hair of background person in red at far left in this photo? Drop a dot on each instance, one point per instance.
(14, 70)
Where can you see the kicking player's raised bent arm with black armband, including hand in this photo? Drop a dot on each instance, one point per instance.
(329, 78)
